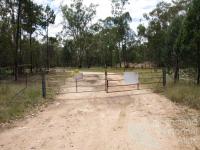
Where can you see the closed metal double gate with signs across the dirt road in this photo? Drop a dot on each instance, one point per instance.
(114, 82)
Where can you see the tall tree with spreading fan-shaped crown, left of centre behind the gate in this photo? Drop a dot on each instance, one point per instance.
(78, 19)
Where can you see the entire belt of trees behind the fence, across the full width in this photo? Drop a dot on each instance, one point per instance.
(170, 39)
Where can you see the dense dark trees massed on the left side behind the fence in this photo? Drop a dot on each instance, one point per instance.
(20, 23)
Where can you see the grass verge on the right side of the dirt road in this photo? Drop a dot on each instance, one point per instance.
(184, 93)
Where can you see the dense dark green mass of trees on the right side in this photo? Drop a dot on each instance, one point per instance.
(172, 35)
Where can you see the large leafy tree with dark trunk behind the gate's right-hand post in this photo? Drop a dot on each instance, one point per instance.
(165, 34)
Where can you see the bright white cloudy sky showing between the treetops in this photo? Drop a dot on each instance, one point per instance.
(136, 8)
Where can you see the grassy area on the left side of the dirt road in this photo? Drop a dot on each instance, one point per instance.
(14, 106)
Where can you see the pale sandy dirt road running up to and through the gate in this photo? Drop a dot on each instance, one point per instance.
(129, 120)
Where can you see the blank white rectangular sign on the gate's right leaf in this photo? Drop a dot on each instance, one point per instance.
(131, 77)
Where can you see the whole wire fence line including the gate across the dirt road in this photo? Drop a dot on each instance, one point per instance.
(49, 83)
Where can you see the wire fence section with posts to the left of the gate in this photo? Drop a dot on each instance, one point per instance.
(11, 89)
